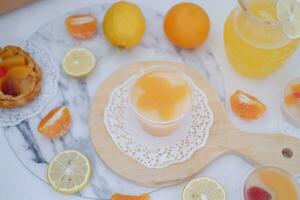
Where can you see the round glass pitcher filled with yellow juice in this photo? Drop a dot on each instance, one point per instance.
(255, 41)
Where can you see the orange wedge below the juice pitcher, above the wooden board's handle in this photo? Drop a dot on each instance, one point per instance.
(245, 106)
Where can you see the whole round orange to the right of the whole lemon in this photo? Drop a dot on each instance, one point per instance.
(186, 25)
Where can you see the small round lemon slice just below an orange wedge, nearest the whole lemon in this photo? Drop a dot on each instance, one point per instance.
(79, 62)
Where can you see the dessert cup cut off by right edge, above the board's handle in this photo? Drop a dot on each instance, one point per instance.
(291, 103)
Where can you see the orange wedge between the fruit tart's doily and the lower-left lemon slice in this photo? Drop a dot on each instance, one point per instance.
(56, 123)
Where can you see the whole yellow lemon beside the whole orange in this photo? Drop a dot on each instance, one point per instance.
(124, 24)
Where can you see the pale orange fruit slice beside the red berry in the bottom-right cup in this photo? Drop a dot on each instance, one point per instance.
(280, 184)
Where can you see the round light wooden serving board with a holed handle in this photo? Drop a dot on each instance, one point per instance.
(263, 149)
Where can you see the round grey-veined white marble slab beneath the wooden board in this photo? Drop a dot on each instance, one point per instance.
(35, 151)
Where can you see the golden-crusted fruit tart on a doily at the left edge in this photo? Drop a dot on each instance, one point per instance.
(20, 77)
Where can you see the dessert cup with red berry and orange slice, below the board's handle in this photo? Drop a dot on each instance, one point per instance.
(271, 183)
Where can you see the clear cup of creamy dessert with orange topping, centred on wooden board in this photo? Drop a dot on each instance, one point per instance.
(161, 97)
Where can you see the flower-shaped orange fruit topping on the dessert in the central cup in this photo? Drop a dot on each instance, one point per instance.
(160, 94)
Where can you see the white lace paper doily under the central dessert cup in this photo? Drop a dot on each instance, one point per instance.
(157, 152)
